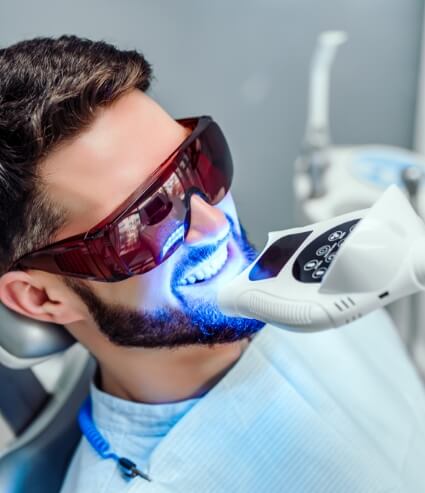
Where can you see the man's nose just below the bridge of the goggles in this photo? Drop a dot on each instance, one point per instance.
(207, 223)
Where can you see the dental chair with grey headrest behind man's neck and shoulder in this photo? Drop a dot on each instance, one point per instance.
(41, 415)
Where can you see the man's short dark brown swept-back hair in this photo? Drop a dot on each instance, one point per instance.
(50, 90)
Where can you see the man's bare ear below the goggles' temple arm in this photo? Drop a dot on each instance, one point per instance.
(33, 296)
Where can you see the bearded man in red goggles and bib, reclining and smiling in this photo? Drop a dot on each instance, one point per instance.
(118, 223)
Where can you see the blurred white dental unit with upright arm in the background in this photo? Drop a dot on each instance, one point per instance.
(332, 179)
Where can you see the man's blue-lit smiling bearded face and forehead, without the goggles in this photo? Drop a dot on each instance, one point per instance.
(92, 176)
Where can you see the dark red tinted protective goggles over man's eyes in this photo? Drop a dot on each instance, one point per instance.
(153, 222)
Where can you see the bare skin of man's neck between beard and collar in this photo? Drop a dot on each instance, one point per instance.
(167, 375)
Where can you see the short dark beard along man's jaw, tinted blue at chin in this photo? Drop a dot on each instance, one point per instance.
(201, 322)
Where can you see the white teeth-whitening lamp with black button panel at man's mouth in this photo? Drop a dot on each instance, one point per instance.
(333, 272)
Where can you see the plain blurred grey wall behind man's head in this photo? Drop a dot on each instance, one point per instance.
(246, 63)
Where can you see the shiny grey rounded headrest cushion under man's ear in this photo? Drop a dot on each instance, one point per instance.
(24, 342)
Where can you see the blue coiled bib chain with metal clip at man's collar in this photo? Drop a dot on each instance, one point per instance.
(100, 444)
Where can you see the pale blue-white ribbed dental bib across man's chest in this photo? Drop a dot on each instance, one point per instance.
(339, 411)
